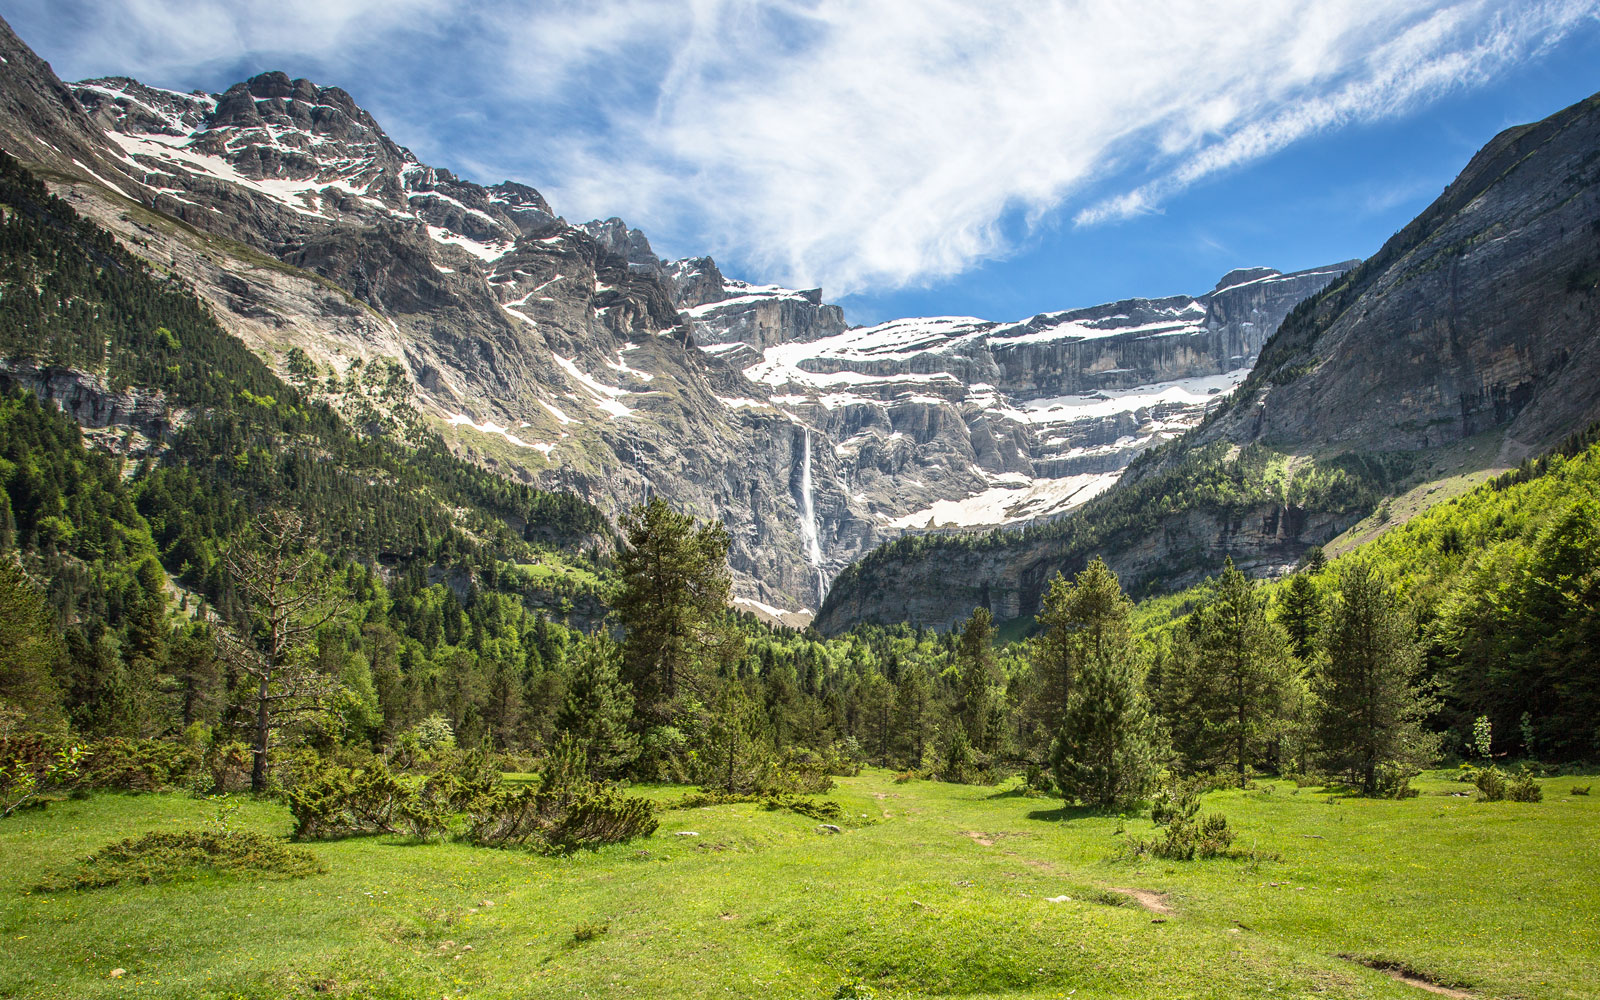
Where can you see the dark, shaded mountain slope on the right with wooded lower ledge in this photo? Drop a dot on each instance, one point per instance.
(1462, 348)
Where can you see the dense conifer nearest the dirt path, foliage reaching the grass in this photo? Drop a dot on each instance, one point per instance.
(1106, 748)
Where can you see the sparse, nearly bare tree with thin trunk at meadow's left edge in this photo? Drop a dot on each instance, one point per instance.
(289, 599)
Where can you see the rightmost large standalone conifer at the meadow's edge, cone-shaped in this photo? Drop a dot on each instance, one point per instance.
(1369, 710)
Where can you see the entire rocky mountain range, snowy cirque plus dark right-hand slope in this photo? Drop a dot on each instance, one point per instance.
(1266, 415)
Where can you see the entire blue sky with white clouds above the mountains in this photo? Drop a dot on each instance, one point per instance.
(978, 158)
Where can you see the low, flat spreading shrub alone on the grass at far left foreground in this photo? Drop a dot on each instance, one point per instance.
(170, 857)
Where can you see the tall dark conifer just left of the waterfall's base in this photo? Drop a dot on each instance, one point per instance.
(673, 606)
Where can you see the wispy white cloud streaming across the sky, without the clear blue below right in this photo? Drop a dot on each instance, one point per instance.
(865, 143)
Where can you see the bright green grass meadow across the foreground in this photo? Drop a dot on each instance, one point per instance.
(930, 890)
